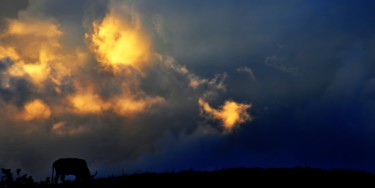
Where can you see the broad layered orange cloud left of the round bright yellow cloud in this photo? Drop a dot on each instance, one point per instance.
(33, 44)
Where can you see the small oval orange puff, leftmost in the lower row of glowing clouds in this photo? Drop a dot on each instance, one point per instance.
(36, 109)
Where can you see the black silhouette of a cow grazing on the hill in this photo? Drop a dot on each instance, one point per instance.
(71, 166)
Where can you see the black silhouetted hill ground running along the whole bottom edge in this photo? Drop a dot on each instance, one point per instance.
(233, 177)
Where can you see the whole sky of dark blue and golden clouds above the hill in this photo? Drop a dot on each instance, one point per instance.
(141, 85)
